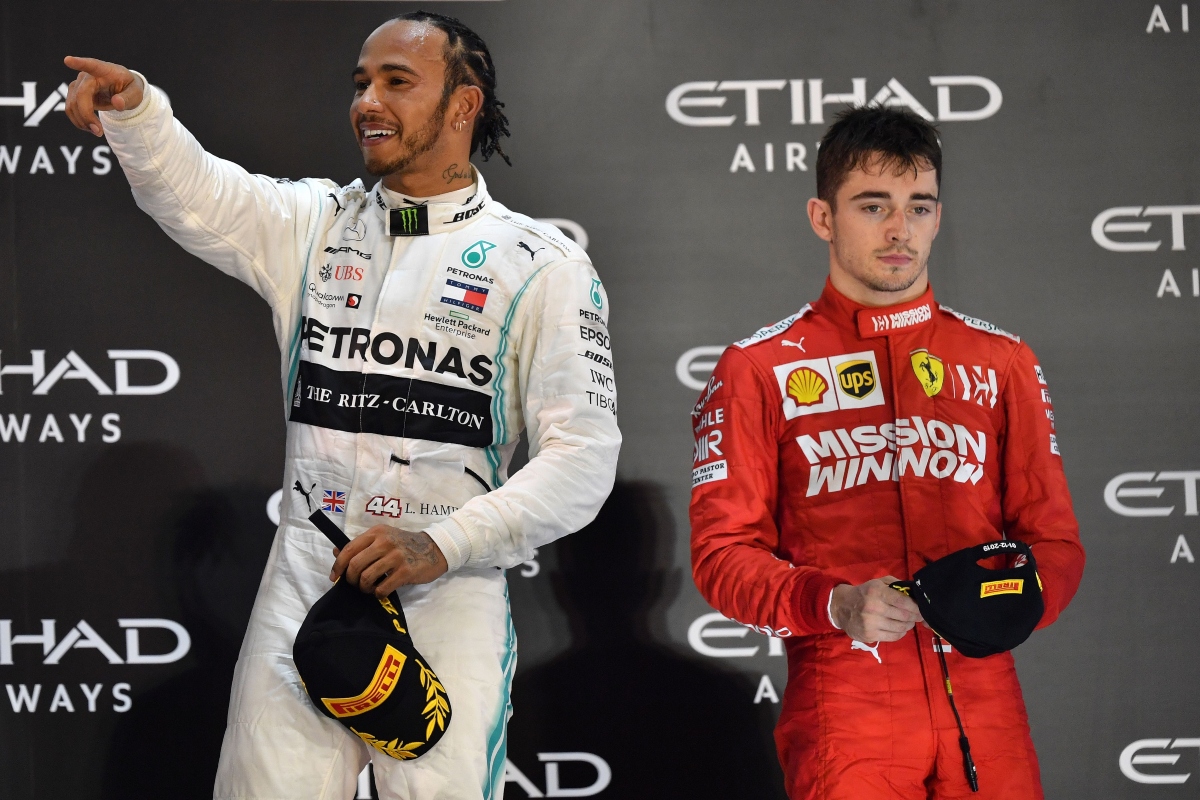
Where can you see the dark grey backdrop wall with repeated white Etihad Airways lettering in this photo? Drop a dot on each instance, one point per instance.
(136, 521)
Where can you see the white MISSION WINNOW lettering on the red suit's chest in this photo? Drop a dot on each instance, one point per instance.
(915, 447)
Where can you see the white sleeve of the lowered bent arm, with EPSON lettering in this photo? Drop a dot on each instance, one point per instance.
(572, 428)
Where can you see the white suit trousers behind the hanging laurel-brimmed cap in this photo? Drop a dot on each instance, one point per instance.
(278, 747)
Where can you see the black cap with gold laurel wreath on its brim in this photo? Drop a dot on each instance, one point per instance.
(359, 667)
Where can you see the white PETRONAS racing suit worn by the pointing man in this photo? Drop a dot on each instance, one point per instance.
(411, 365)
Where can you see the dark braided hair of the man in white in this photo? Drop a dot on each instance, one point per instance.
(470, 64)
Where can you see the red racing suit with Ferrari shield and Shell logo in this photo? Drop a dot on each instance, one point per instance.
(845, 444)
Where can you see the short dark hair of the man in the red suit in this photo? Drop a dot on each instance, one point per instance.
(901, 140)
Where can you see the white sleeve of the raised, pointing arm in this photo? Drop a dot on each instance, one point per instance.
(251, 227)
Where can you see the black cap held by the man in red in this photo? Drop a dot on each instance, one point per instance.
(980, 611)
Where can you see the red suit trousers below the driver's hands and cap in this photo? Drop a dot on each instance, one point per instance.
(857, 727)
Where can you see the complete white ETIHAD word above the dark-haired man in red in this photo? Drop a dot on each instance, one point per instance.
(808, 100)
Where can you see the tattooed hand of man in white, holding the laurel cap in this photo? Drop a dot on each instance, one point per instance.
(383, 560)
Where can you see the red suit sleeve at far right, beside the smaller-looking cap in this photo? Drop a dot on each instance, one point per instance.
(1036, 500)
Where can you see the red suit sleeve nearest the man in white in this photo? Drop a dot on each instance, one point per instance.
(734, 497)
